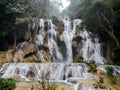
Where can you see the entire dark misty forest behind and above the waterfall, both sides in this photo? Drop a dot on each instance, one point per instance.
(101, 17)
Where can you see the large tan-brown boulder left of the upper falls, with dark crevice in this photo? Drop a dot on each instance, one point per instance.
(25, 50)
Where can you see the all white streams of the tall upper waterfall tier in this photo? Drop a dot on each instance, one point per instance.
(90, 50)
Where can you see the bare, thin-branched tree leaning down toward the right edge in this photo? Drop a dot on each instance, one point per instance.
(107, 20)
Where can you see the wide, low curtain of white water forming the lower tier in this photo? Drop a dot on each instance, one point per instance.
(50, 71)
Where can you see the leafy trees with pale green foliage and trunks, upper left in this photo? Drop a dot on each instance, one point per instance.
(16, 14)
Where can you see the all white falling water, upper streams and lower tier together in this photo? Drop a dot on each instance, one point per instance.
(58, 71)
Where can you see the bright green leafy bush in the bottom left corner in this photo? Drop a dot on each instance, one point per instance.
(7, 84)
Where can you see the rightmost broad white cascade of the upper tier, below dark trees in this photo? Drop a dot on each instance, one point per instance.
(91, 48)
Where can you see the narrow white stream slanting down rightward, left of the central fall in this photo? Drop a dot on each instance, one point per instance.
(52, 43)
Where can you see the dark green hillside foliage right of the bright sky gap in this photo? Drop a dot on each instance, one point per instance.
(101, 17)
